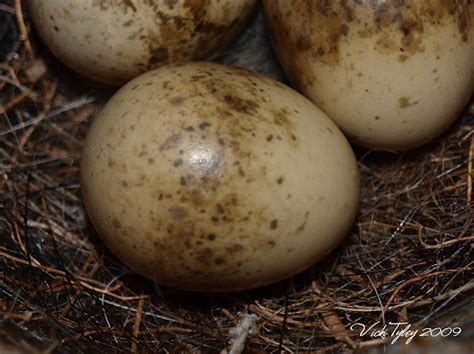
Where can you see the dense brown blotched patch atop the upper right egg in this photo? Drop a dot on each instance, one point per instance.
(319, 24)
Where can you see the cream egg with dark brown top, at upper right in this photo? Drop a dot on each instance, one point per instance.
(392, 74)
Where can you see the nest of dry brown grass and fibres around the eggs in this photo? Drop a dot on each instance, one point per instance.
(409, 256)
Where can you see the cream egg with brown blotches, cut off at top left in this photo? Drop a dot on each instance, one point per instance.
(115, 40)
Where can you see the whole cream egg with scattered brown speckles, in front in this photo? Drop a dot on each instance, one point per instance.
(206, 177)
